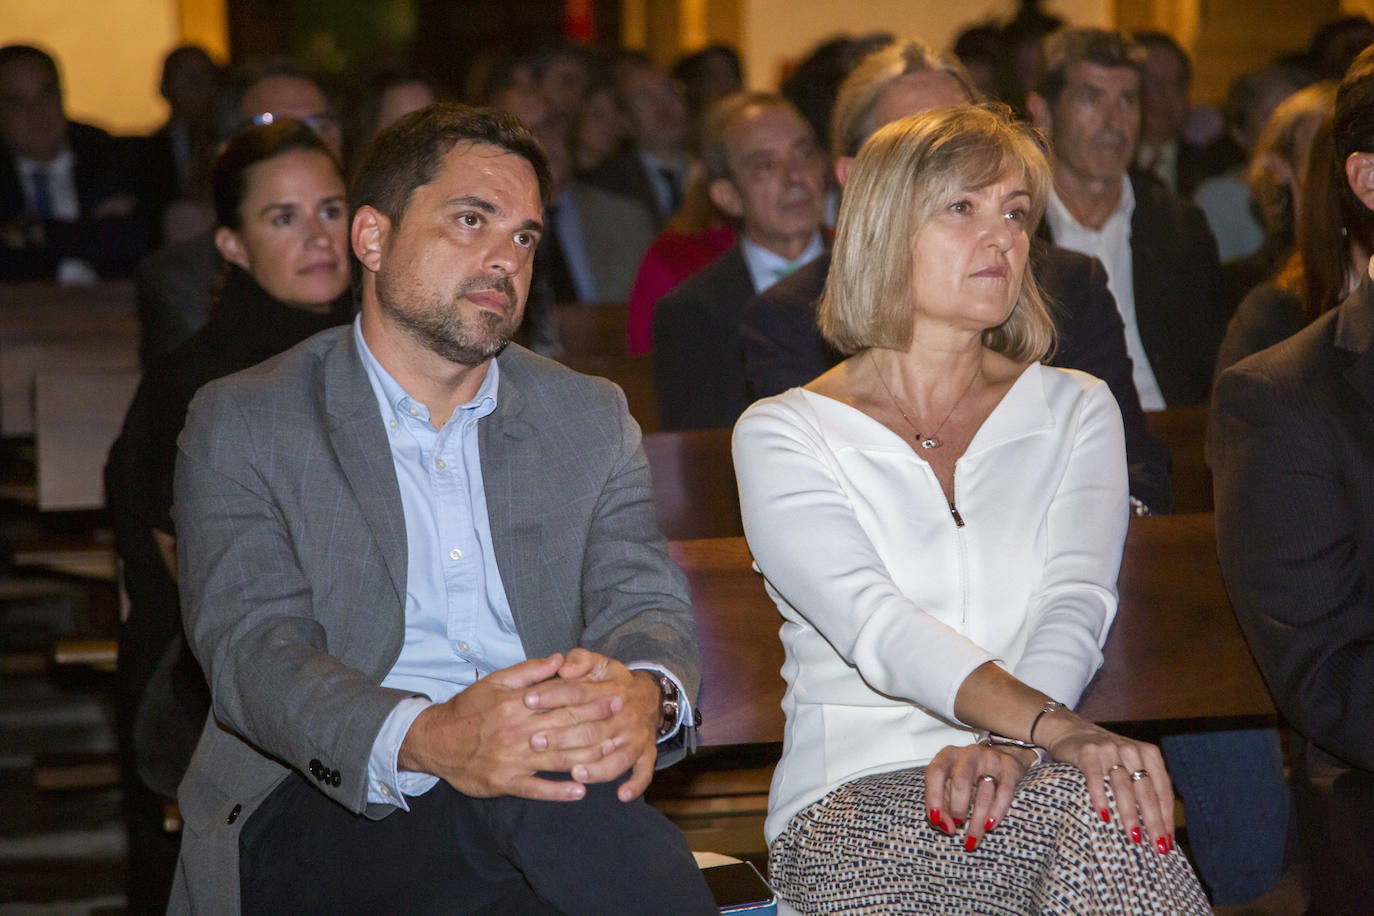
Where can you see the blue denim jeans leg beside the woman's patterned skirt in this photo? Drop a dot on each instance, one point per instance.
(1237, 808)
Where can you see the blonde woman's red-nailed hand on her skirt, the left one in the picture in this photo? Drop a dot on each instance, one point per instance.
(973, 783)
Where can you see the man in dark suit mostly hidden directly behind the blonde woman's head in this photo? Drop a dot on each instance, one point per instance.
(784, 348)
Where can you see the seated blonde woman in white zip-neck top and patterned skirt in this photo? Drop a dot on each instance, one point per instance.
(941, 521)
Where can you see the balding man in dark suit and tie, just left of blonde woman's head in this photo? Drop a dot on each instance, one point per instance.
(767, 175)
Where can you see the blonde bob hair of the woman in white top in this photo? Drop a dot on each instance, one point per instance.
(906, 174)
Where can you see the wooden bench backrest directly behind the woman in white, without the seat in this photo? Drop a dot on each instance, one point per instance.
(1174, 653)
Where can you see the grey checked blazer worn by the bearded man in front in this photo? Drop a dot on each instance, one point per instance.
(292, 547)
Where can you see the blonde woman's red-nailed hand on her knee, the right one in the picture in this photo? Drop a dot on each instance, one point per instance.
(1136, 770)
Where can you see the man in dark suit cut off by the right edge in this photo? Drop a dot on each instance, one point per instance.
(1292, 439)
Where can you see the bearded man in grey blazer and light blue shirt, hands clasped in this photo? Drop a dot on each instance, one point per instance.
(418, 566)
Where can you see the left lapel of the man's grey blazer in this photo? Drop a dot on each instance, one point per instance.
(365, 455)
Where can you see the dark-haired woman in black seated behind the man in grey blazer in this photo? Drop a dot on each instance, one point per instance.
(284, 234)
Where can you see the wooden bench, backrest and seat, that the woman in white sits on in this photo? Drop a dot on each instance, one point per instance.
(1174, 653)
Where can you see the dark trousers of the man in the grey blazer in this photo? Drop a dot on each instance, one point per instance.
(303, 854)
